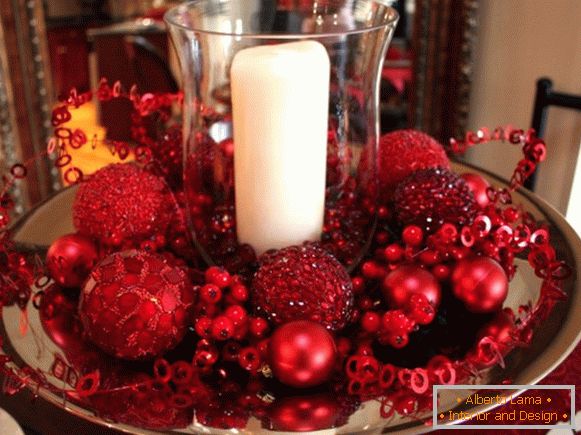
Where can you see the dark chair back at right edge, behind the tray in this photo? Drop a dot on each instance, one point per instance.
(545, 97)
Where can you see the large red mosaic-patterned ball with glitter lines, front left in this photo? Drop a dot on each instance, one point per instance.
(136, 305)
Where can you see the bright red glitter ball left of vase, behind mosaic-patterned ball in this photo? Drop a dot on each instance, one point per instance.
(122, 202)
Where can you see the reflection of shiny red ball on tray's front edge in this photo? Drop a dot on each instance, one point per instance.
(304, 414)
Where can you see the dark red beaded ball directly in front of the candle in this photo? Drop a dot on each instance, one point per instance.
(303, 283)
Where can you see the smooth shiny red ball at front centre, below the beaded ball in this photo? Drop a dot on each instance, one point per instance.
(302, 354)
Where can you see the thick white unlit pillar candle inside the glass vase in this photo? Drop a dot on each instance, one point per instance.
(280, 97)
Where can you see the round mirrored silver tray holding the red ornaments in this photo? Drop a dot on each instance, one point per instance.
(551, 344)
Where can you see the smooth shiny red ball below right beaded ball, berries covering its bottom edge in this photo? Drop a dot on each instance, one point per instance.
(407, 280)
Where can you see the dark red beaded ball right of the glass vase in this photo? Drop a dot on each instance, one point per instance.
(431, 197)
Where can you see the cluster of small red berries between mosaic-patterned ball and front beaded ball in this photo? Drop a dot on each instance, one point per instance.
(226, 330)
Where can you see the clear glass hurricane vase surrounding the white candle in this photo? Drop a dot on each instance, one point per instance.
(280, 123)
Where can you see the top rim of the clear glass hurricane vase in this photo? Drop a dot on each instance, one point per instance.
(171, 18)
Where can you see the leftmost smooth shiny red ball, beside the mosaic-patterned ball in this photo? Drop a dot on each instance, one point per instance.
(70, 259)
